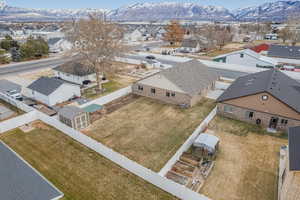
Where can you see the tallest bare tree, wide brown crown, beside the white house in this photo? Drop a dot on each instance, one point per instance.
(97, 42)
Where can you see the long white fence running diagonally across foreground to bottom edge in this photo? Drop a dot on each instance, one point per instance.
(159, 181)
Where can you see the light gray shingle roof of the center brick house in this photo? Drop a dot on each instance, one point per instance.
(192, 76)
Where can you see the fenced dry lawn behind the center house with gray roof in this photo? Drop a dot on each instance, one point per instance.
(147, 131)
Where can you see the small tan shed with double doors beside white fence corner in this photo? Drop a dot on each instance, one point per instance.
(74, 117)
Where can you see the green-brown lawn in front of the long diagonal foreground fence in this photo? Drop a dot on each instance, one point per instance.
(80, 173)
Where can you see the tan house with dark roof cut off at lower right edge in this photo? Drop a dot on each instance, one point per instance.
(289, 168)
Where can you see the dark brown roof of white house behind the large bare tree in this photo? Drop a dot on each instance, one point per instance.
(75, 68)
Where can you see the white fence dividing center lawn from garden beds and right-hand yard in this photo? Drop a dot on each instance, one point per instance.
(188, 143)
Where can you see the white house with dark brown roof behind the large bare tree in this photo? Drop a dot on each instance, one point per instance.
(75, 72)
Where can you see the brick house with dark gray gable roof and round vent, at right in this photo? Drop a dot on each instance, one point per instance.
(269, 98)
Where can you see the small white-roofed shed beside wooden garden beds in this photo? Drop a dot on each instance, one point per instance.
(206, 145)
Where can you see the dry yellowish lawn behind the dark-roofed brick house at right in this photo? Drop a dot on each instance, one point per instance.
(247, 162)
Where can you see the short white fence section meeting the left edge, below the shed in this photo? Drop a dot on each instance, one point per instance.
(13, 123)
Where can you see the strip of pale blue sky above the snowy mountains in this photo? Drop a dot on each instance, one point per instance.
(110, 4)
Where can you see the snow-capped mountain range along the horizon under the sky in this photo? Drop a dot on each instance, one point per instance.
(277, 11)
